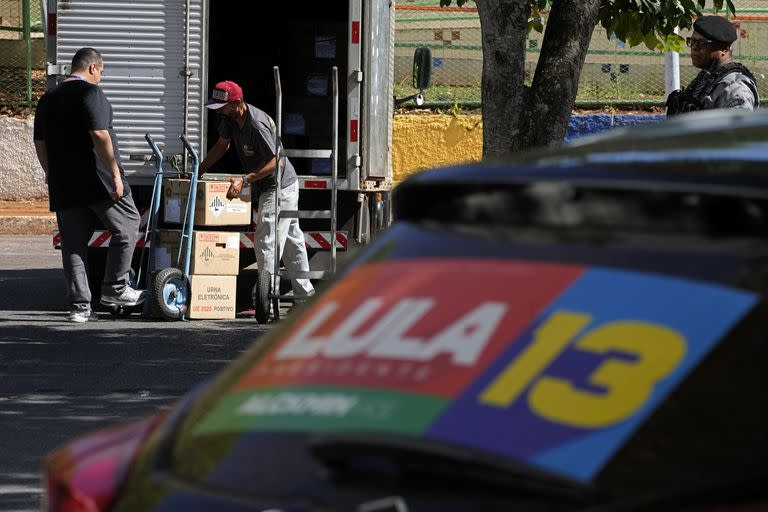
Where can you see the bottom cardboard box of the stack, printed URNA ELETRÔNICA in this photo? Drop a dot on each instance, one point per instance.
(212, 297)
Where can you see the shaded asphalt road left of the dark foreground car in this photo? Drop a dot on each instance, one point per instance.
(59, 380)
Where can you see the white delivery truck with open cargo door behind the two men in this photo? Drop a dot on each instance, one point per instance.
(162, 57)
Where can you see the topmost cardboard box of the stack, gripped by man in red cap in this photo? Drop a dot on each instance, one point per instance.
(212, 208)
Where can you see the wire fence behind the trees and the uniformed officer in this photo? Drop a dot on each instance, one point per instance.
(613, 73)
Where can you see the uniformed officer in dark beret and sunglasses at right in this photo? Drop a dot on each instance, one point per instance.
(721, 83)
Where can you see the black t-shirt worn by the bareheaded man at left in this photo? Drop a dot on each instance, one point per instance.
(64, 118)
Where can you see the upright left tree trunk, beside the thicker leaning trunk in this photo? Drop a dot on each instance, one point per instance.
(503, 25)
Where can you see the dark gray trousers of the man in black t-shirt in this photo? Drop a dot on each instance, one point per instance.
(76, 226)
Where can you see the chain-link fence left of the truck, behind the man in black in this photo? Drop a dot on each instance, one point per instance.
(22, 52)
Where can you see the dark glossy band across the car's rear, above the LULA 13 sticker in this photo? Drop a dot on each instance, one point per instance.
(563, 205)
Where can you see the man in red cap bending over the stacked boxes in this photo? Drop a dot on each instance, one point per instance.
(252, 132)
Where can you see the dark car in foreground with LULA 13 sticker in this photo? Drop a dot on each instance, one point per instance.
(580, 329)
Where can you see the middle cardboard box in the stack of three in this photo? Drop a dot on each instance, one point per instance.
(213, 252)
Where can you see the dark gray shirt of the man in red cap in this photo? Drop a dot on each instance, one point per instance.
(255, 145)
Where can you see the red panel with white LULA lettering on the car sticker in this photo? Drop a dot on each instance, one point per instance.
(398, 326)
